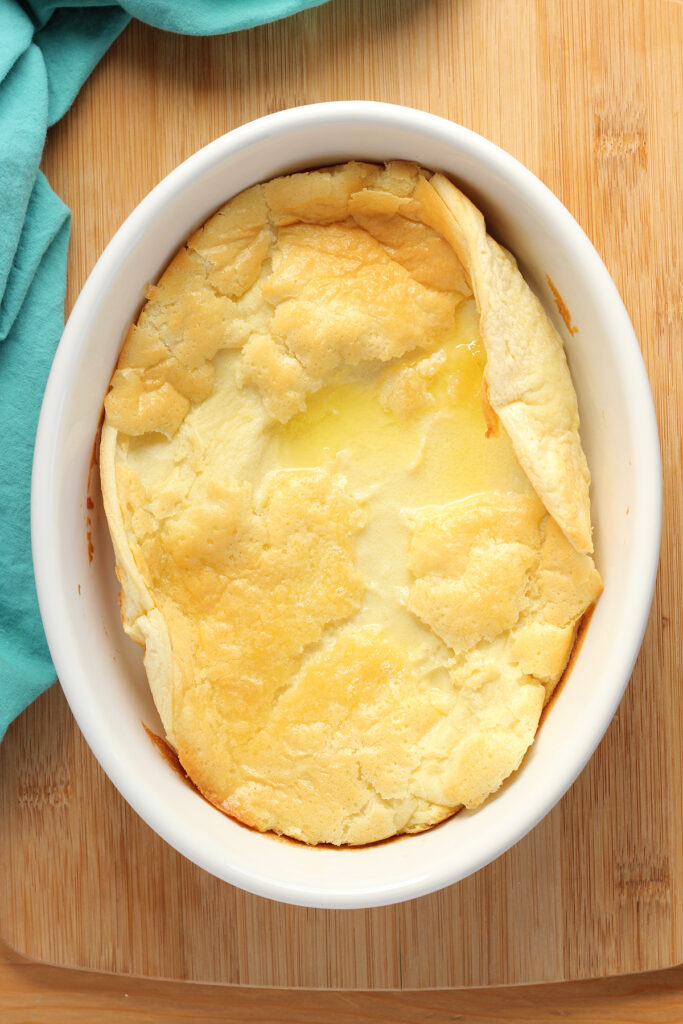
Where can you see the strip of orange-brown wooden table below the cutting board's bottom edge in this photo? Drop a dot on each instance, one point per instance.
(40, 995)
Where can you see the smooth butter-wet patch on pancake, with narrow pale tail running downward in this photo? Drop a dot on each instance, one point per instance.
(400, 455)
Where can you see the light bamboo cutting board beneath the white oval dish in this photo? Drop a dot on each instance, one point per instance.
(588, 96)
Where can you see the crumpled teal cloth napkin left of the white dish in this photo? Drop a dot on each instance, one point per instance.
(48, 50)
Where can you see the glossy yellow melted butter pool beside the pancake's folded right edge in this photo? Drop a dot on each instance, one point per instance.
(433, 450)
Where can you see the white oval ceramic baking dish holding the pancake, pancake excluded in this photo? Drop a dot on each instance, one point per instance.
(102, 671)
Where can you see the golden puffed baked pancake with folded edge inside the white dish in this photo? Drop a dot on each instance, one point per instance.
(350, 505)
